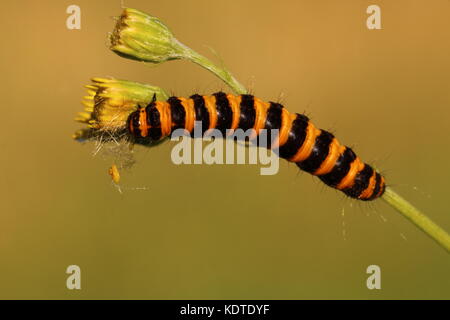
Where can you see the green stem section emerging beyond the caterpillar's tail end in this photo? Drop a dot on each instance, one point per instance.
(418, 218)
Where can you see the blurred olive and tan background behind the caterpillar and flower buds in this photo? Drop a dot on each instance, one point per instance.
(224, 231)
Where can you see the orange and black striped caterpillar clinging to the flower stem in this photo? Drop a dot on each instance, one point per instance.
(313, 150)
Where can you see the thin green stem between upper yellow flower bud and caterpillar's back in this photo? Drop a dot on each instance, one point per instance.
(220, 72)
